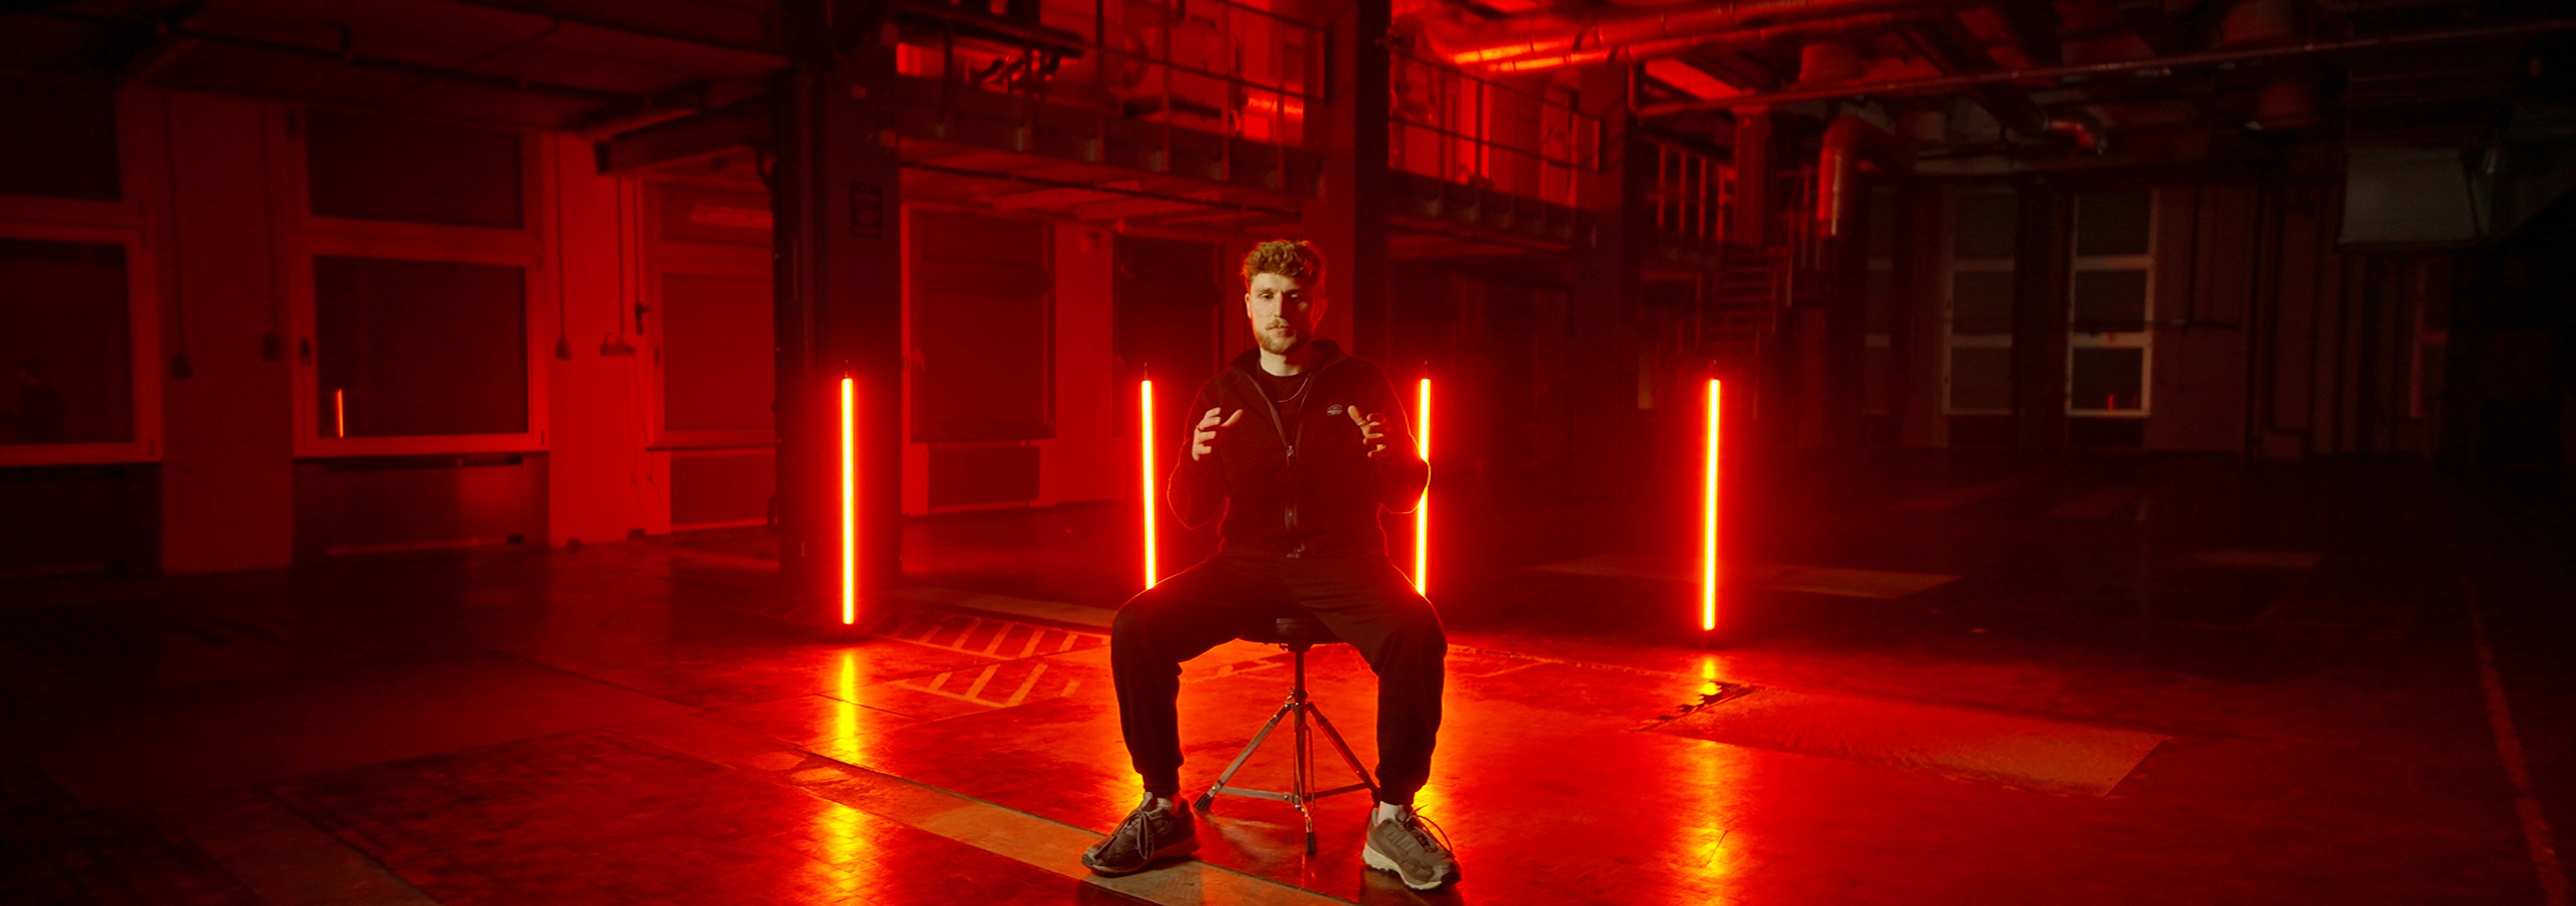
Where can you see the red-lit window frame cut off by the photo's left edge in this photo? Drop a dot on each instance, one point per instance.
(135, 223)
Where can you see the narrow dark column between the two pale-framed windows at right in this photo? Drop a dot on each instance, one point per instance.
(2044, 254)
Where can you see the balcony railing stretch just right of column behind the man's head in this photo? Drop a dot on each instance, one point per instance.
(1470, 130)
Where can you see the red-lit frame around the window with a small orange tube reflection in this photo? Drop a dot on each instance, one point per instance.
(313, 236)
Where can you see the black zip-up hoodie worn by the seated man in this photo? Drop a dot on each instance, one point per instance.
(1307, 488)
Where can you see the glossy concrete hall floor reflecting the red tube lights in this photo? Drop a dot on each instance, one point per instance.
(1946, 678)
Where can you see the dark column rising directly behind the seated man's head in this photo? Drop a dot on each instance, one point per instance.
(1349, 223)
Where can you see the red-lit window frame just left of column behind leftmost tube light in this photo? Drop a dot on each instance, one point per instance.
(661, 261)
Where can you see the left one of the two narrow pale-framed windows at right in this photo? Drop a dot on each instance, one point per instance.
(1977, 290)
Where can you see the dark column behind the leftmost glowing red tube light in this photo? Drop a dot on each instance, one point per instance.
(841, 295)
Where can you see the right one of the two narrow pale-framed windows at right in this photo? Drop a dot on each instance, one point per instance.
(2108, 310)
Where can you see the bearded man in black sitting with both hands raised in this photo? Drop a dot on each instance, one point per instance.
(1300, 447)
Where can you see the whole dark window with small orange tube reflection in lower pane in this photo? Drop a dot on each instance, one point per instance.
(416, 274)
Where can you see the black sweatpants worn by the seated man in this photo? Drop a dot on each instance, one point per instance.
(1364, 601)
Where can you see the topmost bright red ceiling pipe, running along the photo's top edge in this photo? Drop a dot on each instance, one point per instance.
(1609, 35)
